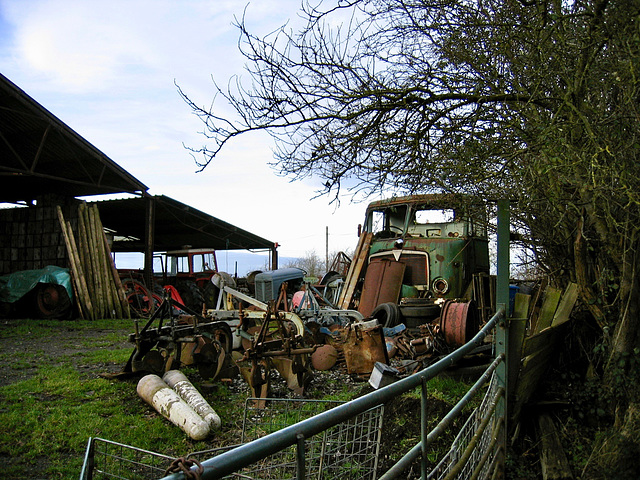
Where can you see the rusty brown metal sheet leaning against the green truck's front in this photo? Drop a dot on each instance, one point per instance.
(382, 284)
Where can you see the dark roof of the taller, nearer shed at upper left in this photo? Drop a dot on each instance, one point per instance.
(39, 155)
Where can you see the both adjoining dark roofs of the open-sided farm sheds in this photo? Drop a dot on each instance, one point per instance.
(40, 155)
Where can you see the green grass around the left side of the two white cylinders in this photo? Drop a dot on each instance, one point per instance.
(48, 418)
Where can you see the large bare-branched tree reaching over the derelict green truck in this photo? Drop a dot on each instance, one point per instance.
(522, 99)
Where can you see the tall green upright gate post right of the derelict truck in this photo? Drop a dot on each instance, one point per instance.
(502, 329)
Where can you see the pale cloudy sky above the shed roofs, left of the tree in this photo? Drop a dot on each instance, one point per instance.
(109, 71)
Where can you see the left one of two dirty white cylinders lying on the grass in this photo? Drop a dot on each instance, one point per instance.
(168, 403)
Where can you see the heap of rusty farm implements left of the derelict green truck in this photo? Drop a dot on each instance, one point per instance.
(289, 328)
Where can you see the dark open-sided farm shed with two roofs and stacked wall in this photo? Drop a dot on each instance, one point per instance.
(45, 163)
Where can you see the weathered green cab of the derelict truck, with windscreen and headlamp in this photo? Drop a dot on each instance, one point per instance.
(441, 239)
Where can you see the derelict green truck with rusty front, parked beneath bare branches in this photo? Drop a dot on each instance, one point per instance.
(424, 260)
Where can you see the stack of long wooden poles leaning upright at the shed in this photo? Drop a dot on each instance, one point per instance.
(96, 283)
